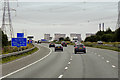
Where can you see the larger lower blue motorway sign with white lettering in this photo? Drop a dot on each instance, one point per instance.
(19, 42)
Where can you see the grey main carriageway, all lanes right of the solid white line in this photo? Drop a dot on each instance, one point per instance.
(66, 64)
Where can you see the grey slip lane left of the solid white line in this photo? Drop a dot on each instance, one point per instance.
(17, 64)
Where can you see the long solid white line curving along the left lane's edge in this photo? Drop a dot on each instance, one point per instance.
(26, 66)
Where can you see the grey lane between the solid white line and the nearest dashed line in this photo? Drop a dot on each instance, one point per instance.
(51, 67)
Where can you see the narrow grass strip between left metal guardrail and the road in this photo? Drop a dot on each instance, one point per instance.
(11, 58)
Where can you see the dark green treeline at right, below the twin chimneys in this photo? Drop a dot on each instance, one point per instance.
(106, 36)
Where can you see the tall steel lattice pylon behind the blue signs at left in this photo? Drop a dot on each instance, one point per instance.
(6, 20)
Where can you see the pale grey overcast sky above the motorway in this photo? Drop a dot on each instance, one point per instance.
(38, 18)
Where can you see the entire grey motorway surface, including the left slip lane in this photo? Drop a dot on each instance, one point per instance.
(96, 63)
